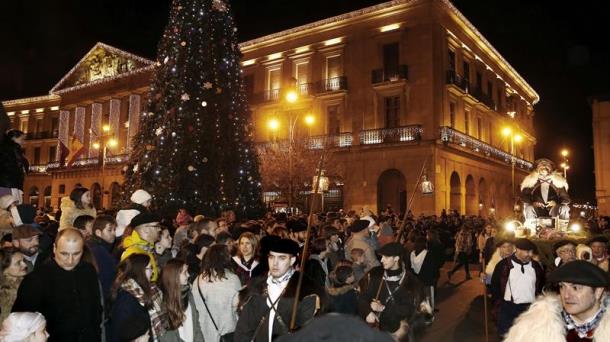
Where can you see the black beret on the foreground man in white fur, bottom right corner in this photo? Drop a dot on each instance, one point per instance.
(580, 272)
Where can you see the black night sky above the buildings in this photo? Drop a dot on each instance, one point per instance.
(562, 51)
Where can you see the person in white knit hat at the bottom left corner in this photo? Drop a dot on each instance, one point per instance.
(24, 326)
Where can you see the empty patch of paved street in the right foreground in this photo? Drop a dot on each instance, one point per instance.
(460, 304)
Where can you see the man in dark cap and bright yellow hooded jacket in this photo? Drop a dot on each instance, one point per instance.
(146, 232)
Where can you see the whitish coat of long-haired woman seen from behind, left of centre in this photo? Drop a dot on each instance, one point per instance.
(221, 297)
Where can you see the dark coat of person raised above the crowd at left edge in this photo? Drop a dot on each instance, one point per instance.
(13, 165)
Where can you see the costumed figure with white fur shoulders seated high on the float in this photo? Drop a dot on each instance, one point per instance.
(544, 193)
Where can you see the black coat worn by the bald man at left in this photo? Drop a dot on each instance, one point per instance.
(70, 301)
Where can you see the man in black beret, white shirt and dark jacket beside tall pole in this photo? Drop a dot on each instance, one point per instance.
(267, 311)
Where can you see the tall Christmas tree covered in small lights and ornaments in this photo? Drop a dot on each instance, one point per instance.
(194, 147)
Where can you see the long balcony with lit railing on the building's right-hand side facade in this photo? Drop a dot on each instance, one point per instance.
(451, 136)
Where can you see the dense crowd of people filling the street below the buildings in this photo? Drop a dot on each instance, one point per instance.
(131, 275)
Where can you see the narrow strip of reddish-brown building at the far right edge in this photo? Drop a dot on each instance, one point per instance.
(601, 150)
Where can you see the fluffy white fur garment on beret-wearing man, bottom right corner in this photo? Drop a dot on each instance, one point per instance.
(542, 322)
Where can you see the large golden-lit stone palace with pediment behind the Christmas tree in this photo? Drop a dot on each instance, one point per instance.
(393, 87)
